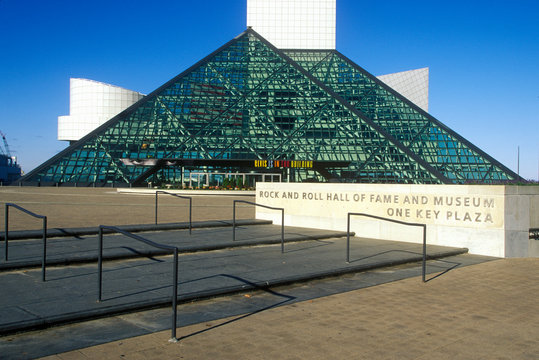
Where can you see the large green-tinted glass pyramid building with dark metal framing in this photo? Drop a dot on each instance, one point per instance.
(249, 107)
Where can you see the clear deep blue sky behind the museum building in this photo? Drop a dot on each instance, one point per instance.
(483, 58)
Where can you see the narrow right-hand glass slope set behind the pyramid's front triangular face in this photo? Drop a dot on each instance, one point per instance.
(447, 152)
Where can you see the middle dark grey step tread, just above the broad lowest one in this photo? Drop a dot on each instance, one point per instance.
(206, 236)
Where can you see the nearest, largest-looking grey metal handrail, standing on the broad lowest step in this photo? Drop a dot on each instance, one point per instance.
(173, 249)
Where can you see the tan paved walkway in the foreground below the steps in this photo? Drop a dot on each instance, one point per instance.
(484, 311)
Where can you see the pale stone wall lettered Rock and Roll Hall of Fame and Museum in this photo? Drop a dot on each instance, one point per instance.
(488, 220)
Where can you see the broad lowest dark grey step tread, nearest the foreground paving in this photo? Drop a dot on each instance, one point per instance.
(70, 293)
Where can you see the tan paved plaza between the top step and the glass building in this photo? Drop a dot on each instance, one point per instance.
(84, 207)
